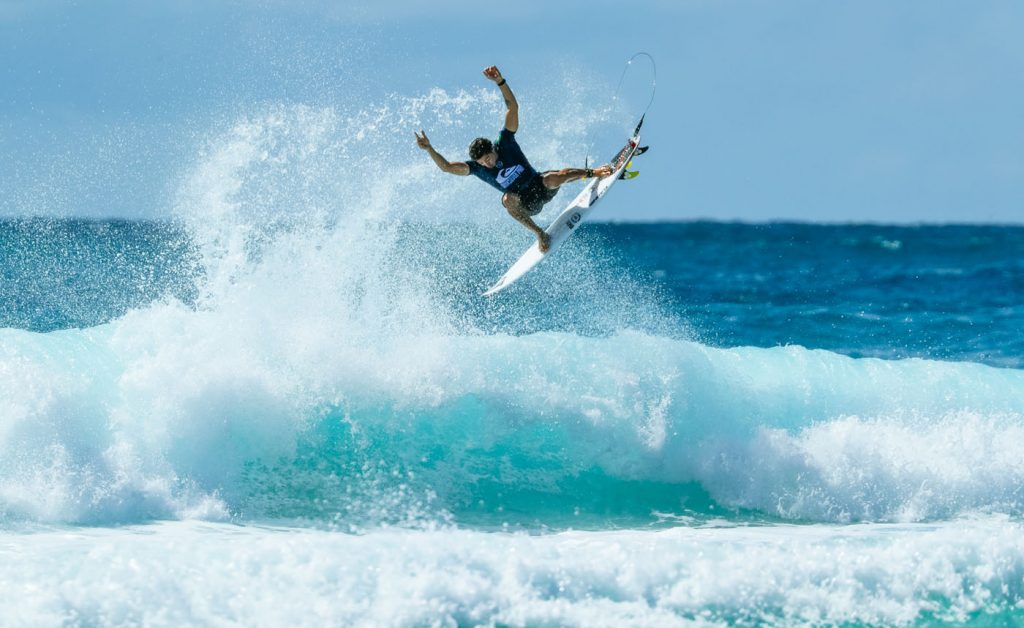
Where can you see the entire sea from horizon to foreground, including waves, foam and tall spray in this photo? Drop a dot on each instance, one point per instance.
(287, 403)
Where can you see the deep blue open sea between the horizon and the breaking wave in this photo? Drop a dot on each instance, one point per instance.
(950, 292)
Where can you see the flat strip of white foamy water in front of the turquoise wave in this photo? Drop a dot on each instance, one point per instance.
(205, 574)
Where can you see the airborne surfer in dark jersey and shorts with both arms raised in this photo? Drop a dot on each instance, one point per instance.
(502, 165)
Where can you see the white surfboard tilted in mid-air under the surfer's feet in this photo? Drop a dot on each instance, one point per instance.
(575, 215)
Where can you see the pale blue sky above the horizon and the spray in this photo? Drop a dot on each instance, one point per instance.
(873, 111)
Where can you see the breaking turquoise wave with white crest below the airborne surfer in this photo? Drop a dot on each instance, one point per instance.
(106, 425)
